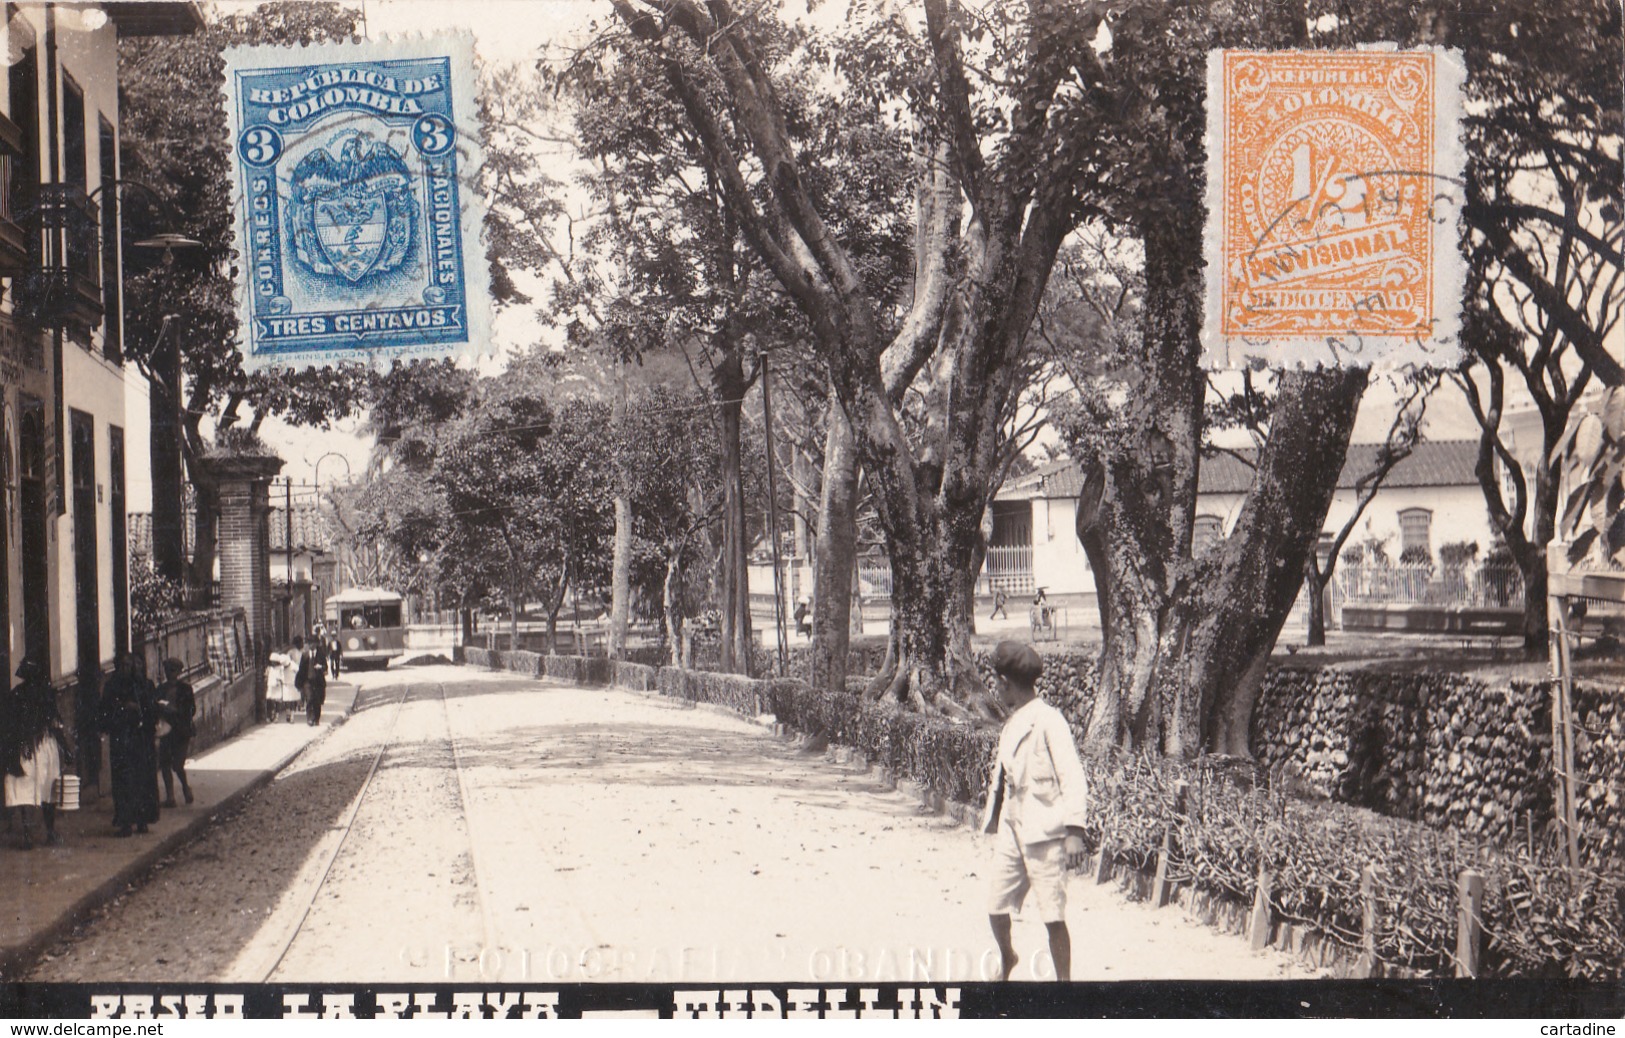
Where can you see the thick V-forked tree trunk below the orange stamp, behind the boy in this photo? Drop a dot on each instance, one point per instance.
(1185, 642)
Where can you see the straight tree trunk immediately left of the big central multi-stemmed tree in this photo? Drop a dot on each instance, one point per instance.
(838, 555)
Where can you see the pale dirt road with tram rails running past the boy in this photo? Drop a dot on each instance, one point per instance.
(521, 831)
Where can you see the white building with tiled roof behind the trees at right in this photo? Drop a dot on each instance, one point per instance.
(1429, 500)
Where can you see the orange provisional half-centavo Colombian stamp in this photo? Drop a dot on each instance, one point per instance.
(1333, 196)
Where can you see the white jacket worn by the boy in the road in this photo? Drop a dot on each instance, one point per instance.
(1041, 759)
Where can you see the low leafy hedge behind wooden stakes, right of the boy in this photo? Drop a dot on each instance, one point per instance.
(1540, 919)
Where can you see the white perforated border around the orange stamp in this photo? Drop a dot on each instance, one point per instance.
(1450, 266)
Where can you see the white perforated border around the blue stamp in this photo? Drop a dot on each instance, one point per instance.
(459, 46)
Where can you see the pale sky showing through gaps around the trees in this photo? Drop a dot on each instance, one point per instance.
(516, 32)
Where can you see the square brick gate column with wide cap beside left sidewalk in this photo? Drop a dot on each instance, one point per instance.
(246, 551)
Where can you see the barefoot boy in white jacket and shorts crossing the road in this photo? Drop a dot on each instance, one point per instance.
(1038, 805)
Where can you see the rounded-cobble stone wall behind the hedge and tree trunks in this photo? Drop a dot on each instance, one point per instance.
(1452, 751)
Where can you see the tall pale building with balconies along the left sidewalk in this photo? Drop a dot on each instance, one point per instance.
(64, 451)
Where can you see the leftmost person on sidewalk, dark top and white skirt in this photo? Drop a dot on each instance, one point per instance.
(37, 746)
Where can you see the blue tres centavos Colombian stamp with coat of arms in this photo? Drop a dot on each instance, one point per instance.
(355, 176)
